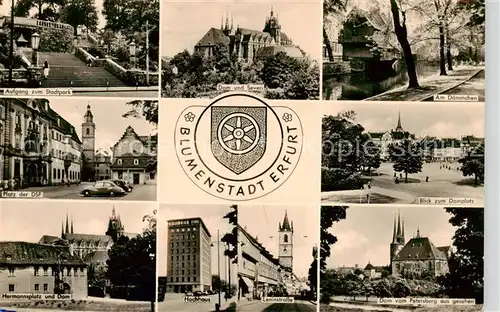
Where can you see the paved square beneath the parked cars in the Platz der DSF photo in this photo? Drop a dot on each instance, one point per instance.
(140, 193)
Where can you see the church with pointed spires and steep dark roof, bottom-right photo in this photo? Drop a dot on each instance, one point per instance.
(418, 257)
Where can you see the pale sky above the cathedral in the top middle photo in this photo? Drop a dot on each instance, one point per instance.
(184, 23)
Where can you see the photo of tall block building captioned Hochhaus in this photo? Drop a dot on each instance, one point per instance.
(197, 258)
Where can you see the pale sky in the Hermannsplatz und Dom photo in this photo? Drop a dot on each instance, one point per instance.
(38, 218)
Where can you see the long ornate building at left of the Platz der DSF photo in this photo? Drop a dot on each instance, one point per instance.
(37, 145)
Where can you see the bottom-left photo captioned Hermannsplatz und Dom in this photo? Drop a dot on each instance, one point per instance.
(77, 257)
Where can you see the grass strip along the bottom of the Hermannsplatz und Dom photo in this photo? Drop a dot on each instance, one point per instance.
(80, 305)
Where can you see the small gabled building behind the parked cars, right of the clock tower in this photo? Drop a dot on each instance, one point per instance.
(134, 157)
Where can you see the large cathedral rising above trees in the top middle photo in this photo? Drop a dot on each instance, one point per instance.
(248, 44)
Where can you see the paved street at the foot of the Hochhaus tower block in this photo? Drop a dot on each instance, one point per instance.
(175, 302)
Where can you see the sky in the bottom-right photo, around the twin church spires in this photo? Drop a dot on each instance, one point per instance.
(361, 239)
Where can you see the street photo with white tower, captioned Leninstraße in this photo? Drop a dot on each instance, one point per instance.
(278, 267)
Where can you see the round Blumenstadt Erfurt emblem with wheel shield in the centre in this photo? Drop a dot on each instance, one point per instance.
(238, 147)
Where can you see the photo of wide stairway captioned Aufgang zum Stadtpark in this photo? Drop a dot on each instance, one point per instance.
(80, 47)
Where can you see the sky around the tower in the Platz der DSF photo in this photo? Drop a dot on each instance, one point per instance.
(110, 125)
